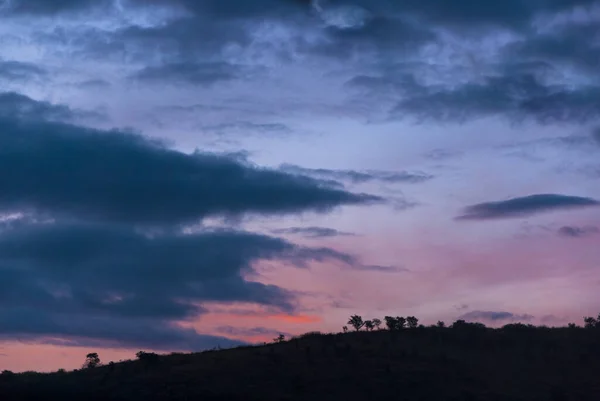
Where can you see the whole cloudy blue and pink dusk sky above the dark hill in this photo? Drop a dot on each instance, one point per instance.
(179, 175)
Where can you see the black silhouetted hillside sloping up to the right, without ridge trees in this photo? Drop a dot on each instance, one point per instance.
(464, 363)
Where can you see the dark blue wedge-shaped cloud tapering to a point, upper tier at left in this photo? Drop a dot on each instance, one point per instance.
(65, 170)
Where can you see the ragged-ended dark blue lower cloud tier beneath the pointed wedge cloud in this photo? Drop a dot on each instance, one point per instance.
(151, 273)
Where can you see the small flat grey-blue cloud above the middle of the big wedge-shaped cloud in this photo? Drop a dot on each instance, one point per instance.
(191, 73)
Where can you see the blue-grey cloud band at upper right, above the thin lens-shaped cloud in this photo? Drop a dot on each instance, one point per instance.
(518, 97)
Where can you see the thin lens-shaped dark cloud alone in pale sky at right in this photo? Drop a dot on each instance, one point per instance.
(525, 206)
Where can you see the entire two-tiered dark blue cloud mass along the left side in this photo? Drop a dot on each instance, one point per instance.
(90, 251)
